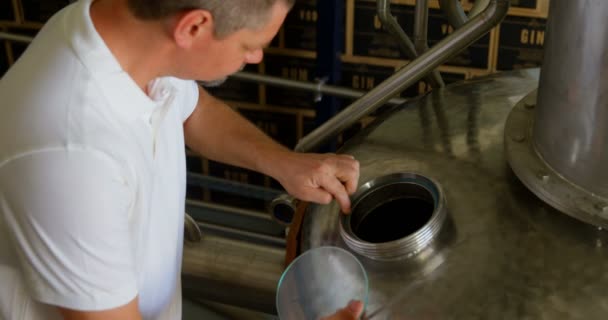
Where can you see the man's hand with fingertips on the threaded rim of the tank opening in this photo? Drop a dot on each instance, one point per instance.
(319, 177)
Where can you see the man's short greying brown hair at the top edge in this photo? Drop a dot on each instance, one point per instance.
(229, 15)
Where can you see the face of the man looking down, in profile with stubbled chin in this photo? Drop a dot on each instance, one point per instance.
(218, 58)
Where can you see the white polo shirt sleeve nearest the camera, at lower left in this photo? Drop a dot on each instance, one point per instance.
(67, 212)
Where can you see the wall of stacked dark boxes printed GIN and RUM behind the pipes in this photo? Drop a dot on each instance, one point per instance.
(369, 56)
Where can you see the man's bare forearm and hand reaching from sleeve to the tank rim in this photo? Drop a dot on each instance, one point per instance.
(220, 133)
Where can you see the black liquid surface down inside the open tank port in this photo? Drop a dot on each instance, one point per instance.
(394, 220)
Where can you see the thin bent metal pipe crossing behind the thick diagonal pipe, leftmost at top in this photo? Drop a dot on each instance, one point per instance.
(392, 26)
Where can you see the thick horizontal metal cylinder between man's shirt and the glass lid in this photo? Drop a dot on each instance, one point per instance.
(237, 273)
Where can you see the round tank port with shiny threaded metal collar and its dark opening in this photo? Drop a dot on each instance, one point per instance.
(394, 216)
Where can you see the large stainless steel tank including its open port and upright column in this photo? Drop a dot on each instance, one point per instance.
(444, 227)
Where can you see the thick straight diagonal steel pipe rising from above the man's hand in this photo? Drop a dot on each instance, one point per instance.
(453, 43)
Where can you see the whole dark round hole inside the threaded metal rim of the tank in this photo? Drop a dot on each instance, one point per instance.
(392, 212)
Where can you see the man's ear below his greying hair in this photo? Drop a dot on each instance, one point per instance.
(192, 26)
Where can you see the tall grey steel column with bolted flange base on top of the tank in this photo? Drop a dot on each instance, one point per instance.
(562, 155)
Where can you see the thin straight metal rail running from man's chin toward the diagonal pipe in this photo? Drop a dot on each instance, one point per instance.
(302, 85)
